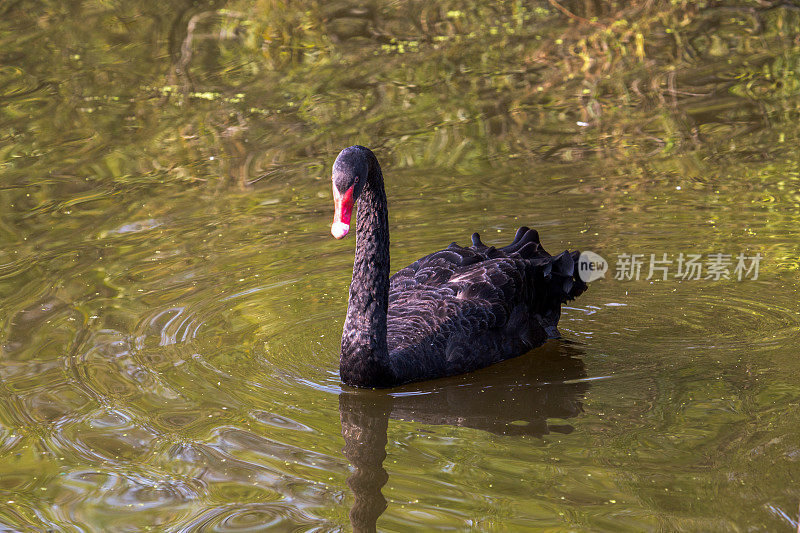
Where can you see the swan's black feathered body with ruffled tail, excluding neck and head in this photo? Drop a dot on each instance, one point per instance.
(463, 308)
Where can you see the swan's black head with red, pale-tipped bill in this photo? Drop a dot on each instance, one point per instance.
(349, 174)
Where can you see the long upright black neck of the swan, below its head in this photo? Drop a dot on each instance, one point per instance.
(364, 355)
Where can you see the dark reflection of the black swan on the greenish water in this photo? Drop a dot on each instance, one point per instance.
(516, 397)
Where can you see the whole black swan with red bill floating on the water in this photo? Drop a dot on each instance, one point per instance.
(450, 312)
